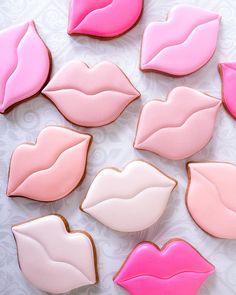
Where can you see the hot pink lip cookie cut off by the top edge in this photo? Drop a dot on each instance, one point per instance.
(103, 18)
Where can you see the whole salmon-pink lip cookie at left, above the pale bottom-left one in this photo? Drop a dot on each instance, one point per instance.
(50, 169)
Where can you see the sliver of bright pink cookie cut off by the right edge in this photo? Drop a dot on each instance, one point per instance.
(228, 77)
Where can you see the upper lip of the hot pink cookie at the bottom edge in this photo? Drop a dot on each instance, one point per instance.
(205, 268)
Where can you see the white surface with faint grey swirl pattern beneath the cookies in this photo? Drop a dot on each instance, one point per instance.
(113, 144)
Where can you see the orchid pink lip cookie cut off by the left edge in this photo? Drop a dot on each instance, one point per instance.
(25, 64)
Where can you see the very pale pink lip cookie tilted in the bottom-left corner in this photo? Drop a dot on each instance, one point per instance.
(52, 258)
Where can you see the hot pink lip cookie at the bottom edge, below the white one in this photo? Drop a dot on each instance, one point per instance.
(176, 269)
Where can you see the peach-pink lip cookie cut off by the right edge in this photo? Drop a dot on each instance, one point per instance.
(212, 188)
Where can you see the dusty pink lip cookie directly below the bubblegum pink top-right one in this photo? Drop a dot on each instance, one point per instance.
(186, 119)
